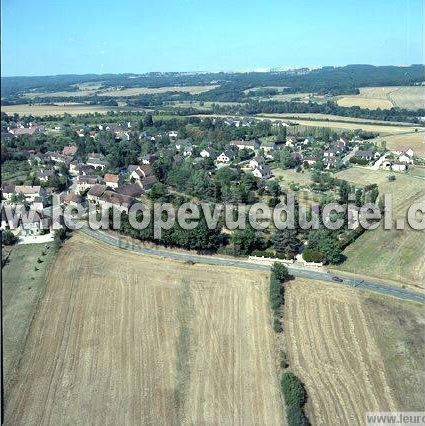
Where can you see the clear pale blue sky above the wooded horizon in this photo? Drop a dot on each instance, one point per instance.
(49, 37)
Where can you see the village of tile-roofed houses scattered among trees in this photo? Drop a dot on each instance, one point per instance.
(79, 177)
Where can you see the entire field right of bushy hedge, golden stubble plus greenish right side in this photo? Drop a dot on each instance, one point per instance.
(351, 356)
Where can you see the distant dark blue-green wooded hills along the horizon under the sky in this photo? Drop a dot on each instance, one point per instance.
(326, 80)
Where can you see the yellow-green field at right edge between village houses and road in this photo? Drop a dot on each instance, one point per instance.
(395, 255)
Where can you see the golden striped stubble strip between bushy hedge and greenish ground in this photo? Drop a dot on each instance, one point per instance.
(331, 349)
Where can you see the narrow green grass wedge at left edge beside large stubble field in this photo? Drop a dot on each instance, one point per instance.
(22, 289)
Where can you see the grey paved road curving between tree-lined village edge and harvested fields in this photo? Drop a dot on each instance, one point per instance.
(296, 271)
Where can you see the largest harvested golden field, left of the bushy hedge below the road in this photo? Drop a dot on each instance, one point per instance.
(122, 338)
